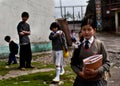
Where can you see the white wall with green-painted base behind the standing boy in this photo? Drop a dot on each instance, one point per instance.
(41, 15)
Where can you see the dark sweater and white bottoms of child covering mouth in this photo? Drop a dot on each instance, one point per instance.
(57, 47)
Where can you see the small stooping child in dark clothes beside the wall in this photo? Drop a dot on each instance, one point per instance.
(13, 47)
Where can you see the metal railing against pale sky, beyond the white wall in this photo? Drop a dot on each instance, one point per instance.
(71, 13)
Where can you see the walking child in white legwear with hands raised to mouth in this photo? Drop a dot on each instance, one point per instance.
(58, 42)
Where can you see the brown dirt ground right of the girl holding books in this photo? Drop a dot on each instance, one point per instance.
(112, 44)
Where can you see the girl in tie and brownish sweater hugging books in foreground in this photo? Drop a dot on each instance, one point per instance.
(85, 76)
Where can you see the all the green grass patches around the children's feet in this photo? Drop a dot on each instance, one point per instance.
(36, 79)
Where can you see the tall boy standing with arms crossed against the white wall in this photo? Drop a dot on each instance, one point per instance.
(23, 30)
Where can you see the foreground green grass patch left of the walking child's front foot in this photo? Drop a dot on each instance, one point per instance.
(37, 79)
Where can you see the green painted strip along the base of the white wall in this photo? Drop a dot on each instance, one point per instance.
(36, 47)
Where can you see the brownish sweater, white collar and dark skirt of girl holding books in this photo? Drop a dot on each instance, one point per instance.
(95, 46)
